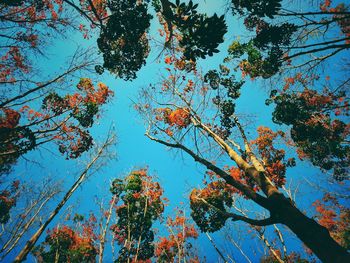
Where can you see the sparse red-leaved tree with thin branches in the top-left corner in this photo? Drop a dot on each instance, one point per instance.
(25, 26)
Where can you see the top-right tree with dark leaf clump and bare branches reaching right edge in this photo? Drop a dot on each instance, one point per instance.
(280, 39)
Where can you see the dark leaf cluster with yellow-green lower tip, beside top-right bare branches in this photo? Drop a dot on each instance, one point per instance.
(264, 52)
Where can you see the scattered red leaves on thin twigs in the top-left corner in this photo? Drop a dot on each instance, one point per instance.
(24, 27)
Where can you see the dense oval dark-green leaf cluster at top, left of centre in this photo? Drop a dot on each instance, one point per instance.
(123, 39)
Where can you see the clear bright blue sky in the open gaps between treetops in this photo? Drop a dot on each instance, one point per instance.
(177, 175)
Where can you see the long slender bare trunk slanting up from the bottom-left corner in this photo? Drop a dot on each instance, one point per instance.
(31, 242)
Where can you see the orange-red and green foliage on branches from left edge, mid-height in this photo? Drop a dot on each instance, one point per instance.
(68, 133)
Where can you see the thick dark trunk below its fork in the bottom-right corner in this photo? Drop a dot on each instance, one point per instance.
(314, 236)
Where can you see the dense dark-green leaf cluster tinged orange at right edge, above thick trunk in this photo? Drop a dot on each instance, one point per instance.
(319, 137)
